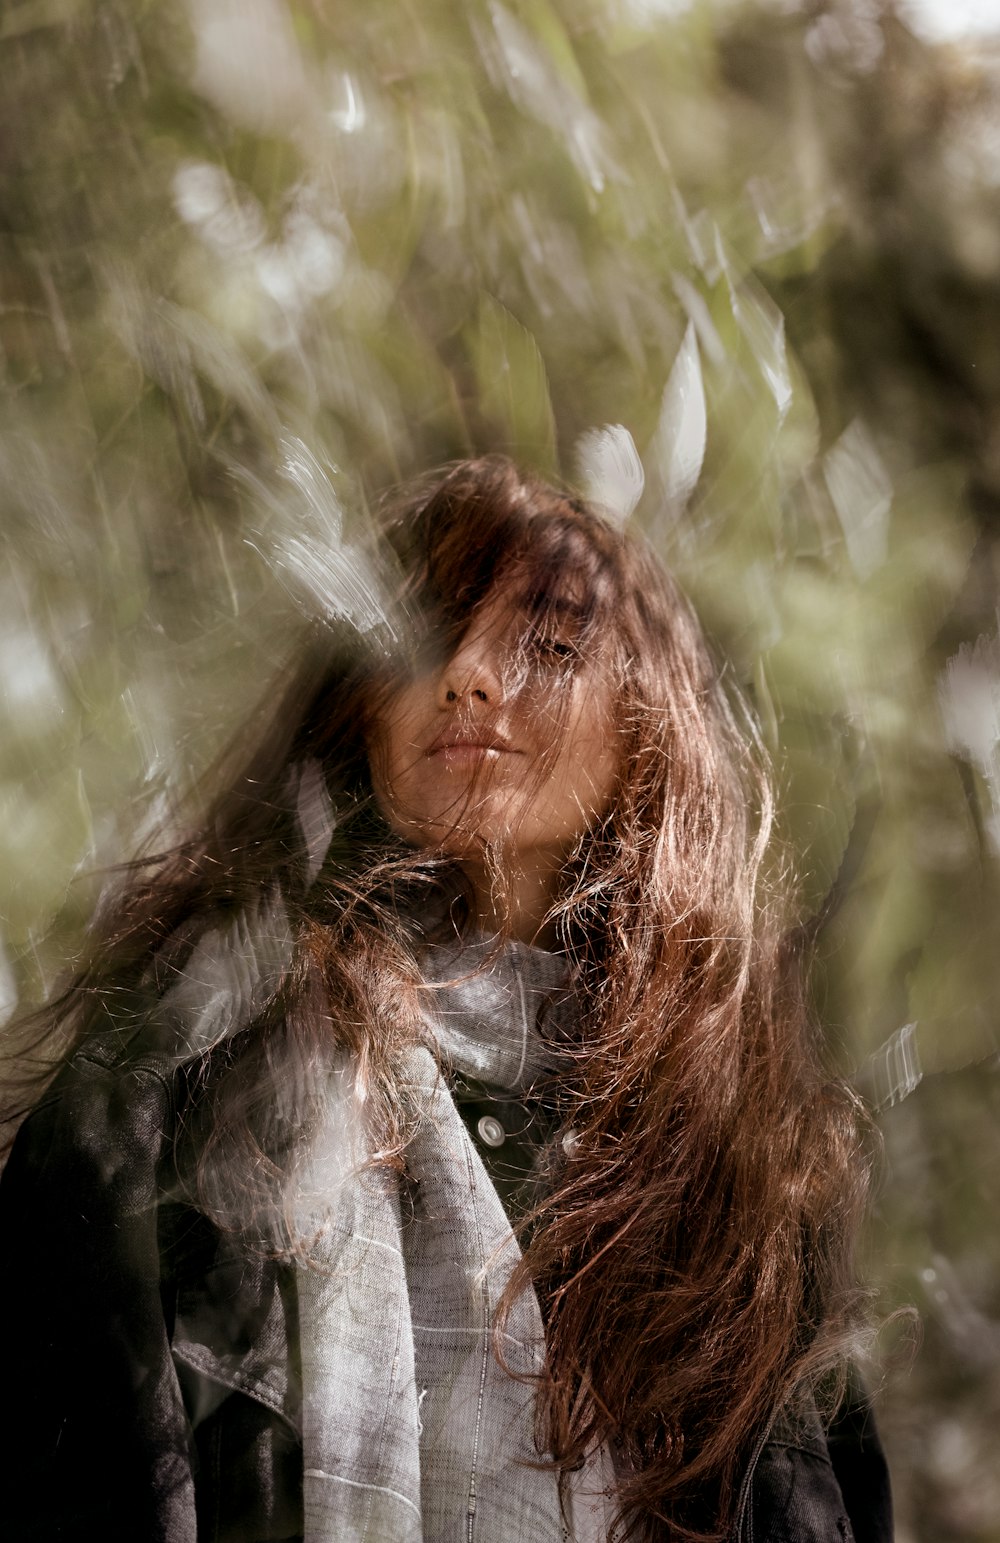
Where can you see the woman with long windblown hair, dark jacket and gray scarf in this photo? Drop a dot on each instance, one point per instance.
(473, 947)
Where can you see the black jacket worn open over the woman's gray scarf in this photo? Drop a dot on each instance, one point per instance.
(152, 1374)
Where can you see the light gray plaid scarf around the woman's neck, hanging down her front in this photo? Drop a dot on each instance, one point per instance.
(413, 1430)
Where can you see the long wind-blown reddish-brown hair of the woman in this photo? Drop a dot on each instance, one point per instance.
(694, 1258)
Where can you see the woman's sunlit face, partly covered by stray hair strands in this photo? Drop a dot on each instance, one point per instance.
(512, 741)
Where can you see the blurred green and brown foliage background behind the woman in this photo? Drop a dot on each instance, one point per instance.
(260, 258)
